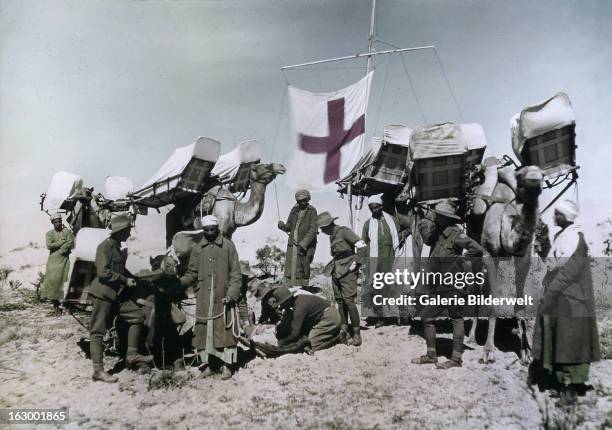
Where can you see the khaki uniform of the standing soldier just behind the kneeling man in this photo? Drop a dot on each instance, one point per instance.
(344, 281)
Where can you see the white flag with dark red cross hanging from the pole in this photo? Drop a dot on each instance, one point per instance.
(329, 131)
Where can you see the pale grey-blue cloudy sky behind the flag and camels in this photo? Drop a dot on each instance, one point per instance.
(103, 88)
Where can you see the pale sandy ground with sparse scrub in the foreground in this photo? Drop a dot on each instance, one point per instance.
(372, 386)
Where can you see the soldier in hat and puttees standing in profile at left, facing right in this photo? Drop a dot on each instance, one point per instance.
(107, 291)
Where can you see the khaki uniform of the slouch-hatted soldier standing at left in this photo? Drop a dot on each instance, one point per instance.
(109, 297)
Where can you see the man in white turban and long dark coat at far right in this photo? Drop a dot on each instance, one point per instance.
(565, 339)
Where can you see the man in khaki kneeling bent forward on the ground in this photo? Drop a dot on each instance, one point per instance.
(311, 316)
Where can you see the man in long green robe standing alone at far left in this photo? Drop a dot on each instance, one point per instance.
(60, 242)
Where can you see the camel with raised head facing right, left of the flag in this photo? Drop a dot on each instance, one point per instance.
(219, 201)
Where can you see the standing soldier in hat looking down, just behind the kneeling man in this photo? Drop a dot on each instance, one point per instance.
(344, 270)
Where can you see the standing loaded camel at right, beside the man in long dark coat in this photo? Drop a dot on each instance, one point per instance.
(504, 225)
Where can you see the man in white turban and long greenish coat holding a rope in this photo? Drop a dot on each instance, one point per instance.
(214, 271)
